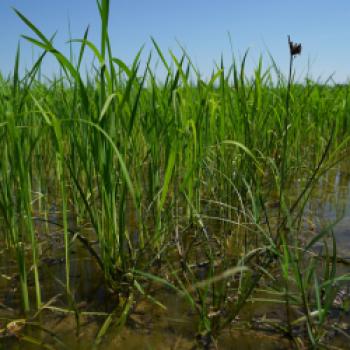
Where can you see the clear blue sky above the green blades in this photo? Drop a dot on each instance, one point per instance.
(201, 26)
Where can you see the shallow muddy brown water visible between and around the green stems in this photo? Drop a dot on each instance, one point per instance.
(168, 321)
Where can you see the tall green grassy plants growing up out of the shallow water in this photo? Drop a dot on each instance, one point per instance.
(198, 187)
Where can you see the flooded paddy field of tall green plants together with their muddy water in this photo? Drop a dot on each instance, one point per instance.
(182, 213)
